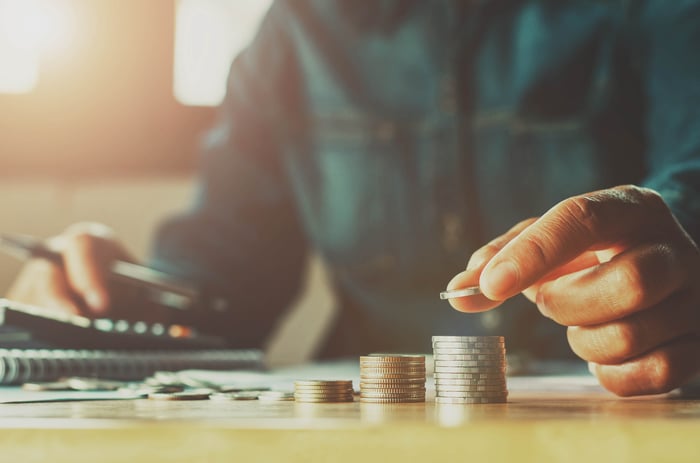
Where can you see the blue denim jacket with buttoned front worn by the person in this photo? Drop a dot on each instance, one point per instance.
(394, 137)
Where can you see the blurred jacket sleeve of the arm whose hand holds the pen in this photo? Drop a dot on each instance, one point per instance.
(242, 240)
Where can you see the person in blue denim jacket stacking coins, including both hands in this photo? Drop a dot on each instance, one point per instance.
(395, 137)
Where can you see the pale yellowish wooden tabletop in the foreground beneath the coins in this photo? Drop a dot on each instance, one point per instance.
(535, 426)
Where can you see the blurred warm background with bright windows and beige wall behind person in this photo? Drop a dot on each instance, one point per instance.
(102, 105)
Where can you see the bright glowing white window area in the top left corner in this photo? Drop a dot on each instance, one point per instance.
(28, 29)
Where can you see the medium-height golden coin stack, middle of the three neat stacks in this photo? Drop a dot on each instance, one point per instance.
(392, 378)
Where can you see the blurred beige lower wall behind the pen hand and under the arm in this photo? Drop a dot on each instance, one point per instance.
(133, 208)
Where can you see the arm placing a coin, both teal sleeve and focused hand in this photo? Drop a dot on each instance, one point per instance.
(621, 267)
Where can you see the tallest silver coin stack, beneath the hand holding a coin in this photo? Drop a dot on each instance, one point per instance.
(470, 369)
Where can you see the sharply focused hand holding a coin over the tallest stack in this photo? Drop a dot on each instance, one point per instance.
(618, 270)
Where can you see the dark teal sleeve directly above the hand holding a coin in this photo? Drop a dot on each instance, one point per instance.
(671, 70)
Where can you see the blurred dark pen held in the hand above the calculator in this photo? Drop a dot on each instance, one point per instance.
(174, 292)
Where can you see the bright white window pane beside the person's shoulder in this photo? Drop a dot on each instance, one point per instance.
(208, 34)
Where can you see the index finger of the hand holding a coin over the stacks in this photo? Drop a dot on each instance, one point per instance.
(601, 219)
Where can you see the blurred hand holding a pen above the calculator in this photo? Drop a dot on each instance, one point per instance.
(79, 286)
